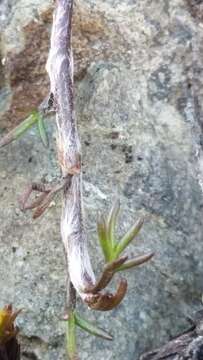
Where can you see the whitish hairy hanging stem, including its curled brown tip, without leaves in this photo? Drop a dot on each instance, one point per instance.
(60, 69)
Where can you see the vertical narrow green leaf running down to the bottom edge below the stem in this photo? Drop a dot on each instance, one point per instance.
(71, 336)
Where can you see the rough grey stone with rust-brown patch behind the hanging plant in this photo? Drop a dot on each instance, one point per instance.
(139, 77)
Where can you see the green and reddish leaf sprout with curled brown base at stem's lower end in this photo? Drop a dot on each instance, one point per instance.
(112, 249)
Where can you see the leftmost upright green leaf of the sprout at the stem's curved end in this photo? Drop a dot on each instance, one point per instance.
(103, 238)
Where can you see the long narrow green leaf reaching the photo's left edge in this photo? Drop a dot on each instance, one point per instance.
(19, 130)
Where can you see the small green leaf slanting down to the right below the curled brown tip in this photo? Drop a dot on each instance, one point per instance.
(92, 328)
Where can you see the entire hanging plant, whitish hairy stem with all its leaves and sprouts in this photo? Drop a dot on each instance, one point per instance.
(79, 269)
